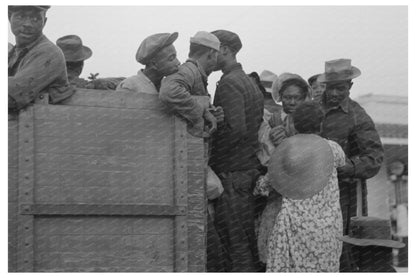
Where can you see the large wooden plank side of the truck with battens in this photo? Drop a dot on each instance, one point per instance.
(105, 182)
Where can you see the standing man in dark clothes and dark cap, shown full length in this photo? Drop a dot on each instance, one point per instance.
(233, 156)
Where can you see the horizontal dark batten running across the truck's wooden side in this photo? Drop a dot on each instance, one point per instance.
(107, 209)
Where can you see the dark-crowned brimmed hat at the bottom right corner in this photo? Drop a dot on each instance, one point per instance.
(368, 231)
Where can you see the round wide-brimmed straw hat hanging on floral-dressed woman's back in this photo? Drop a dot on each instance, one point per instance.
(301, 166)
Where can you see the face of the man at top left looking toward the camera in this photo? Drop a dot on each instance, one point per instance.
(27, 25)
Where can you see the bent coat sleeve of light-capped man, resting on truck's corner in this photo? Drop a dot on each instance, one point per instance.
(175, 94)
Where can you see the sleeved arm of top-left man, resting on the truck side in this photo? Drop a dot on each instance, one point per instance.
(39, 70)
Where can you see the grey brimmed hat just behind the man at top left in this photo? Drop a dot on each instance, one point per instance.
(73, 49)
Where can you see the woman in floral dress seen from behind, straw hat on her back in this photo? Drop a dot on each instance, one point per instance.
(306, 232)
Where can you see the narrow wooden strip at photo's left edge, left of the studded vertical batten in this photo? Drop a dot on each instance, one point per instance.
(12, 191)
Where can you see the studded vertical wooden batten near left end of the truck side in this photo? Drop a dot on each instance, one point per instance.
(26, 183)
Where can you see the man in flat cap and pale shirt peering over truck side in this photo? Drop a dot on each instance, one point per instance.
(158, 55)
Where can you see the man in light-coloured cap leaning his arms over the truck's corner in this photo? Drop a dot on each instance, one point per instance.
(191, 80)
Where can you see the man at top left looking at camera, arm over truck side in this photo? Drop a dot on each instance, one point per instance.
(35, 65)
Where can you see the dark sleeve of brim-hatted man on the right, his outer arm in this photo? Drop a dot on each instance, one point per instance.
(370, 150)
